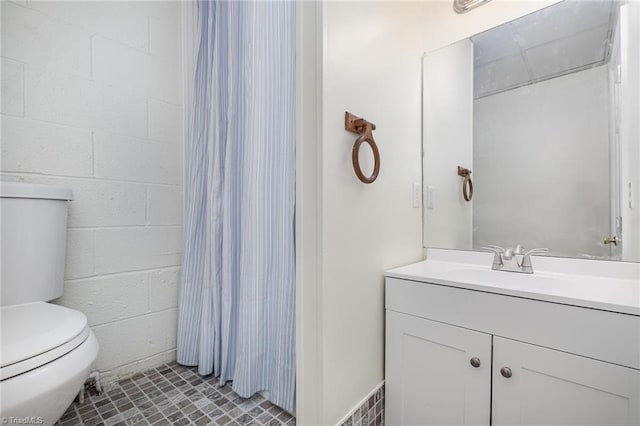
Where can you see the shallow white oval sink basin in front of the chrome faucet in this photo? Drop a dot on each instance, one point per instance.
(502, 278)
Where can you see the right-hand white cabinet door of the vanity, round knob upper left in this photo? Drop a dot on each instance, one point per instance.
(549, 387)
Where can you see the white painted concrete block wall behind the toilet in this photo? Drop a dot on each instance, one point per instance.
(92, 100)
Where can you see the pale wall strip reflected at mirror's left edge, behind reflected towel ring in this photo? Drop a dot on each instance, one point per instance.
(447, 141)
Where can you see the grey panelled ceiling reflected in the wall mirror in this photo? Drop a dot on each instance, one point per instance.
(567, 37)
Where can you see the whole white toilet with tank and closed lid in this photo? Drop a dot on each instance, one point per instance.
(47, 350)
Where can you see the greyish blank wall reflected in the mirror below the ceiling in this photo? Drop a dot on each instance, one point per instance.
(541, 166)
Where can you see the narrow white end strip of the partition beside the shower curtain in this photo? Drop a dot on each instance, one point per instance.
(309, 365)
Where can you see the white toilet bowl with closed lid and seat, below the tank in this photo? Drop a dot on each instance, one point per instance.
(47, 353)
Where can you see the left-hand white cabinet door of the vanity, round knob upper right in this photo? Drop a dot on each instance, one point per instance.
(429, 376)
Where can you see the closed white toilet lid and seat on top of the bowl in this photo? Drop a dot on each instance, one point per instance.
(38, 334)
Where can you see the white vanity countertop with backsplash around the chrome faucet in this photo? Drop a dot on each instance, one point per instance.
(604, 285)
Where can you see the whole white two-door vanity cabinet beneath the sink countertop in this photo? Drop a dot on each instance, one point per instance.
(456, 356)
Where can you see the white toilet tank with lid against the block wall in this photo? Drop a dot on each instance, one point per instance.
(33, 229)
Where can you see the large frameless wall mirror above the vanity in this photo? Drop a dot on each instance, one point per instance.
(544, 112)
